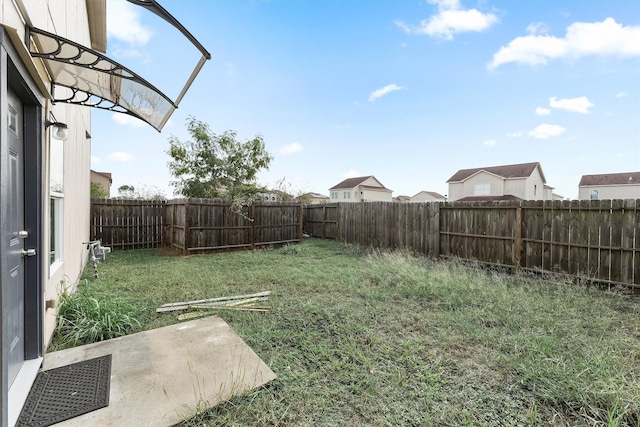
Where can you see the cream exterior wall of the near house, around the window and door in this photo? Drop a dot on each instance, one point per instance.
(67, 18)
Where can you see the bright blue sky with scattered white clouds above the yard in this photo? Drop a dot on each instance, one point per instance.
(407, 91)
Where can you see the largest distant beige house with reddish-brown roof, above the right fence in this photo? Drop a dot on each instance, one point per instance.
(524, 181)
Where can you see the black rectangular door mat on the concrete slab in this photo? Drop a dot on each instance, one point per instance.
(68, 391)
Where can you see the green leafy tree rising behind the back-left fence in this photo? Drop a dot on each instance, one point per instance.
(210, 165)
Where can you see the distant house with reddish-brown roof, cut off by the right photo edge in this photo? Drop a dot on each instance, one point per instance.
(610, 186)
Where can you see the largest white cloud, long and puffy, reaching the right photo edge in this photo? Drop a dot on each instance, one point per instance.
(606, 38)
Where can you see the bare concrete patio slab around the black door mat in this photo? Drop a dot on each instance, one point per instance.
(163, 376)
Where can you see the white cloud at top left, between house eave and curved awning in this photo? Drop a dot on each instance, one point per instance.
(123, 23)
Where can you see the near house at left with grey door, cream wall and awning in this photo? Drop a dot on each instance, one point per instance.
(48, 80)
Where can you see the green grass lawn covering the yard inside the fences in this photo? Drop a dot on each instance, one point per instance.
(361, 337)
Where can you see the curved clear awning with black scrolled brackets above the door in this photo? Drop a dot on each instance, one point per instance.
(83, 76)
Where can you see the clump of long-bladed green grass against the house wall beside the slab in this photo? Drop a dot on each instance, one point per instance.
(84, 318)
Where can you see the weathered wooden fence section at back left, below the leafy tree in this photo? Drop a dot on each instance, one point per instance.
(193, 224)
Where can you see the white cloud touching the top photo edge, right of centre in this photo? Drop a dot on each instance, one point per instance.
(450, 19)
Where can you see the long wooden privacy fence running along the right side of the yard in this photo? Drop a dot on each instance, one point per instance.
(596, 240)
